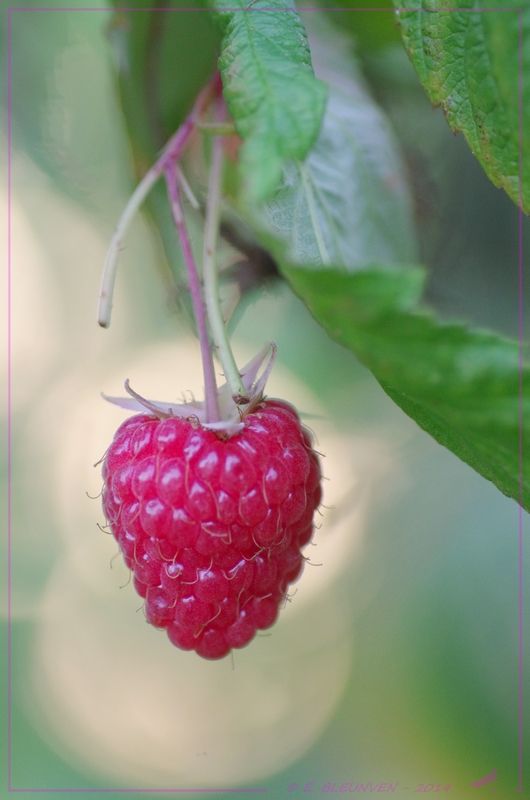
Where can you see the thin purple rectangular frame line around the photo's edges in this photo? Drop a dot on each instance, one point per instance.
(520, 521)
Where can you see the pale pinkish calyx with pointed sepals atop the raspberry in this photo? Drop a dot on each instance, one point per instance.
(233, 410)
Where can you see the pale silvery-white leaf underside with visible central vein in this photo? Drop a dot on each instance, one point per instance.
(348, 204)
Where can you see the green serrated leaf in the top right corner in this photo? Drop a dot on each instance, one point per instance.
(467, 59)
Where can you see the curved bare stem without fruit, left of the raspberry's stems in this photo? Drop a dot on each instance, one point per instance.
(171, 153)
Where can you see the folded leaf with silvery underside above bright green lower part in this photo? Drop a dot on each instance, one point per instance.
(460, 385)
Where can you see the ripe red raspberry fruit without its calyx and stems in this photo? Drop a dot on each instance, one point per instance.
(212, 529)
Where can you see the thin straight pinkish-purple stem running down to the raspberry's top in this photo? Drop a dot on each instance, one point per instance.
(199, 311)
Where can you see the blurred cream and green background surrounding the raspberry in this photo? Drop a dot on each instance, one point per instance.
(396, 659)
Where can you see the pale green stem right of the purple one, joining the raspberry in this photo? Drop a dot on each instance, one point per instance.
(211, 284)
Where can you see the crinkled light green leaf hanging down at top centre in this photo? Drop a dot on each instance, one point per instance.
(272, 94)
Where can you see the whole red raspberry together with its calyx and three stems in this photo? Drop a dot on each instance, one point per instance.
(211, 503)
